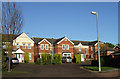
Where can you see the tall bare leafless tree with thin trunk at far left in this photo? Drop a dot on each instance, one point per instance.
(12, 22)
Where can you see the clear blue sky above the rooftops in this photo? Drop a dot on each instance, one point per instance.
(71, 19)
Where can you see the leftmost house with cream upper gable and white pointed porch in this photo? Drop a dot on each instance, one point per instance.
(21, 44)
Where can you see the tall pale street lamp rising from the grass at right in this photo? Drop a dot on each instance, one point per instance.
(95, 13)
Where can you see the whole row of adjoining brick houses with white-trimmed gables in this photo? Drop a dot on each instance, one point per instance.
(64, 46)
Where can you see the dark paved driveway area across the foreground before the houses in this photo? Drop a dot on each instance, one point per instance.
(62, 70)
